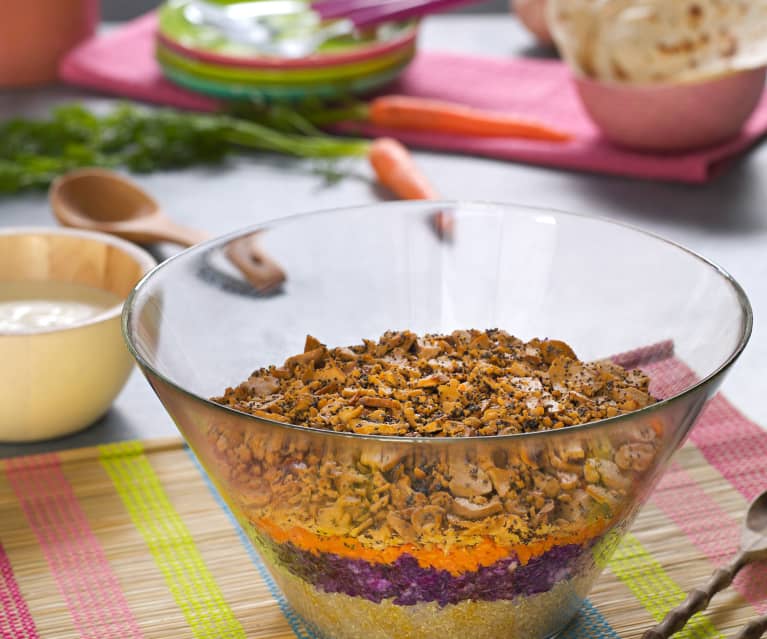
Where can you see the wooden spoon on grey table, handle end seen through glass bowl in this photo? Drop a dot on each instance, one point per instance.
(102, 200)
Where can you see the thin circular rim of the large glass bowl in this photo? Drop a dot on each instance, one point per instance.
(740, 294)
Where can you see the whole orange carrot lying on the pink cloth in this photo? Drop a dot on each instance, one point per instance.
(436, 116)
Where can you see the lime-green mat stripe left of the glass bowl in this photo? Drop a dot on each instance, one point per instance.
(170, 542)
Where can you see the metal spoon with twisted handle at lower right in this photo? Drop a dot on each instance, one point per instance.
(753, 547)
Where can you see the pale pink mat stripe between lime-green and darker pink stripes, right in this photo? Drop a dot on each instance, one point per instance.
(712, 530)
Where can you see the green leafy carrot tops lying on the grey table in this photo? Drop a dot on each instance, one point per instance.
(34, 152)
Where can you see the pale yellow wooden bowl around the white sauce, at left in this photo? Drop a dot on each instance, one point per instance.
(55, 381)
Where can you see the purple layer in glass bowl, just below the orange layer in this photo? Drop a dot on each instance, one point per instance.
(405, 583)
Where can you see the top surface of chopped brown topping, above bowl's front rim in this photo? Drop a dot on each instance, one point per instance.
(464, 384)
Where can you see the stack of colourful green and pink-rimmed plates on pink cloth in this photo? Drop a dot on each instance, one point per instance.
(202, 58)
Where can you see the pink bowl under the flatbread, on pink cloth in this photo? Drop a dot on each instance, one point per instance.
(672, 117)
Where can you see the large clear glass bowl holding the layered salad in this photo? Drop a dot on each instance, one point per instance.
(367, 535)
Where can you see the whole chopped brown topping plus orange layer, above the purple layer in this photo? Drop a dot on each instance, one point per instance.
(355, 497)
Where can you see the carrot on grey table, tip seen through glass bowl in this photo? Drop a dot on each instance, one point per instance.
(395, 169)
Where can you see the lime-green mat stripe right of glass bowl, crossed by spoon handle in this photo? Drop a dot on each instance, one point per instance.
(652, 586)
